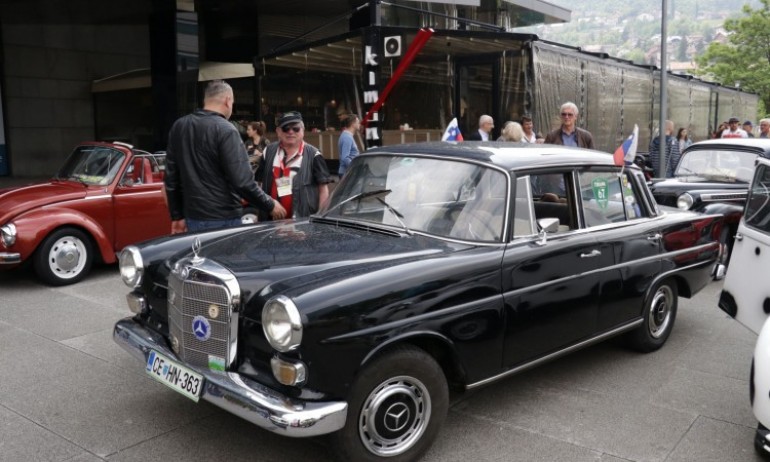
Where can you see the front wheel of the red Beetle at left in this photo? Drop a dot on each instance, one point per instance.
(64, 257)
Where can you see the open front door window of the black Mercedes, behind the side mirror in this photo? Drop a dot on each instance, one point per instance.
(552, 198)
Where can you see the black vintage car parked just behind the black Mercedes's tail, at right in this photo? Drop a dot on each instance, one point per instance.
(713, 176)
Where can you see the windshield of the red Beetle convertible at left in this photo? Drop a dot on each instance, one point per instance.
(92, 165)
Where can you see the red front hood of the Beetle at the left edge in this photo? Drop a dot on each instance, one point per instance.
(14, 201)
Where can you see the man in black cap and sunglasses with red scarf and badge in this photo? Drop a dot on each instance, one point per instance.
(294, 172)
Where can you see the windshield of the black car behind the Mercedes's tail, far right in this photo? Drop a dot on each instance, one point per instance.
(717, 165)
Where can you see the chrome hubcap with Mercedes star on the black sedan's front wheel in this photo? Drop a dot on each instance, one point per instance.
(395, 415)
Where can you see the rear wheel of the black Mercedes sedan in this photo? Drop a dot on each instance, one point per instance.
(659, 316)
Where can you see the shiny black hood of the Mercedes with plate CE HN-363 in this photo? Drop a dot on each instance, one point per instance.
(297, 256)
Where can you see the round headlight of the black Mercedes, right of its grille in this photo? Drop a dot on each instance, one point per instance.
(282, 323)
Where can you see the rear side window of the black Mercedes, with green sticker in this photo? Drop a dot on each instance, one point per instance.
(609, 198)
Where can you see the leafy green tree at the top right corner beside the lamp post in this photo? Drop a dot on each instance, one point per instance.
(745, 58)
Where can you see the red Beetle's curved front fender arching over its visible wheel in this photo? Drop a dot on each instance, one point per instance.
(34, 226)
